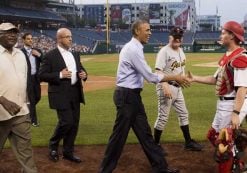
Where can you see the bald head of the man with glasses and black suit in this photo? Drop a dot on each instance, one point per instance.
(64, 38)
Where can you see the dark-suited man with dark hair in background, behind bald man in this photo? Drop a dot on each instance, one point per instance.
(34, 57)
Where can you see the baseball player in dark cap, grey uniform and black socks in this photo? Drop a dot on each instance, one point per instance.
(171, 60)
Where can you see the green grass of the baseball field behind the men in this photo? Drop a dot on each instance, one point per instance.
(98, 115)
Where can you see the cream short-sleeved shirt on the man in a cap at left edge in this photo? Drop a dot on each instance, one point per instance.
(13, 76)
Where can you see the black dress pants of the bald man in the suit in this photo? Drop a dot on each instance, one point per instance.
(68, 123)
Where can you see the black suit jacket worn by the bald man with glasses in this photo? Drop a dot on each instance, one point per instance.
(58, 89)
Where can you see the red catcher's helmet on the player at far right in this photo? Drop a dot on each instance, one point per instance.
(236, 29)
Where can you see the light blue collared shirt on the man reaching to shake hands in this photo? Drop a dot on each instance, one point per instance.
(133, 68)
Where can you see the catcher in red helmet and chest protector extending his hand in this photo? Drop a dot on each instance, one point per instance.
(231, 88)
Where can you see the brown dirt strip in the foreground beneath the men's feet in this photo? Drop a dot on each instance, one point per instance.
(132, 160)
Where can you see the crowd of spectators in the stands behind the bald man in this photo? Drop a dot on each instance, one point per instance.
(46, 43)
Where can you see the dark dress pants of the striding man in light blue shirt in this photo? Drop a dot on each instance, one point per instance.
(131, 114)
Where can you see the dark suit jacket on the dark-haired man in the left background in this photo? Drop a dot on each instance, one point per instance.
(35, 97)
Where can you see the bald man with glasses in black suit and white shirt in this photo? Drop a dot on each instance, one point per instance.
(64, 72)
